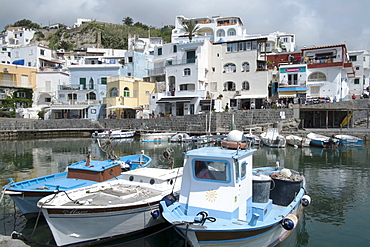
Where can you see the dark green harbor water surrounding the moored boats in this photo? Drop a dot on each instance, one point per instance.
(337, 181)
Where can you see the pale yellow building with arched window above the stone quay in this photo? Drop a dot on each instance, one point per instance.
(127, 97)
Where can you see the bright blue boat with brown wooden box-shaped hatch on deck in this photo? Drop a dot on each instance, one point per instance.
(27, 193)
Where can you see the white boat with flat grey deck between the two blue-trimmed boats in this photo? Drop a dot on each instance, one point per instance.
(110, 209)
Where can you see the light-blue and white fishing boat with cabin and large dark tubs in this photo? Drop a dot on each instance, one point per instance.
(224, 201)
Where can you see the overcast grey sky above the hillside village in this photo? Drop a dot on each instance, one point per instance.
(314, 22)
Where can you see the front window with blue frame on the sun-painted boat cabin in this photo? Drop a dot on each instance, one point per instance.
(211, 170)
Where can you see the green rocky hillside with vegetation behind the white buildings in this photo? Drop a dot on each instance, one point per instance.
(94, 34)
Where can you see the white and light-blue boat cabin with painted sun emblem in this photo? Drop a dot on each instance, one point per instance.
(218, 181)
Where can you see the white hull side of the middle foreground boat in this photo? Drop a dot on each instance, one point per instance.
(66, 227)
